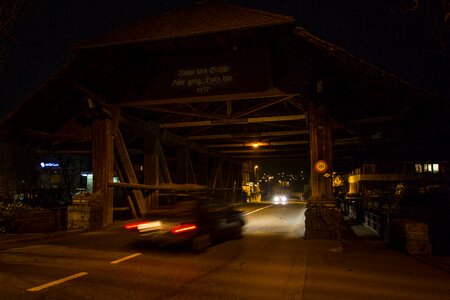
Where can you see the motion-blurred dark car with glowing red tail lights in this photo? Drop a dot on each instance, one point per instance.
(190, 221)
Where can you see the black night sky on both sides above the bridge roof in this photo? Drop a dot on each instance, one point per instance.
(385, 33)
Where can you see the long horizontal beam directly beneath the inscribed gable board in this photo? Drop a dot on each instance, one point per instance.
(203, 99)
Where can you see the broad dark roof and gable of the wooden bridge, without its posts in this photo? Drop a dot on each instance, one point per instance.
(372, 109)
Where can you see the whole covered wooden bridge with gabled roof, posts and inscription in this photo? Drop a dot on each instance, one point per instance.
(177, 102)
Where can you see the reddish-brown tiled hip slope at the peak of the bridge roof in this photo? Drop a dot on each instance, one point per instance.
(188, 21)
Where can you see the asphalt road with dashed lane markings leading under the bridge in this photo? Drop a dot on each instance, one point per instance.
(270, 261)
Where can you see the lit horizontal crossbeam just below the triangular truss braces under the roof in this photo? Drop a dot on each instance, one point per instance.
(234, 121)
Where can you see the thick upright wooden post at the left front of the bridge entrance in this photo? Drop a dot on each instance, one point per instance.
(103, 168)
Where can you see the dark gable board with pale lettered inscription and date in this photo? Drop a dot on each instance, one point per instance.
(206, 75)
